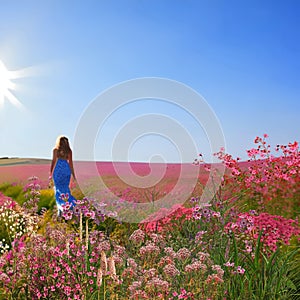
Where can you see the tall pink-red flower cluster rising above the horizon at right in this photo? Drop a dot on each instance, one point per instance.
(266, 176)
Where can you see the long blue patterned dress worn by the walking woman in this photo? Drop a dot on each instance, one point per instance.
(61, 179)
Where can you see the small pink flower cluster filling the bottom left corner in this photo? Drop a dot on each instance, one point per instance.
(58, 271)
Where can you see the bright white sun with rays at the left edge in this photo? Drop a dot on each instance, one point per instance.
(7, 86)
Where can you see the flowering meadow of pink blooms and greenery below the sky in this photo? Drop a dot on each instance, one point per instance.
(242, 244)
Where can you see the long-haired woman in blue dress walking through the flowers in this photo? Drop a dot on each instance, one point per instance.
(61, 171)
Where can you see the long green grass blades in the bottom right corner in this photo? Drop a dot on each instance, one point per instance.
(266, 276)
